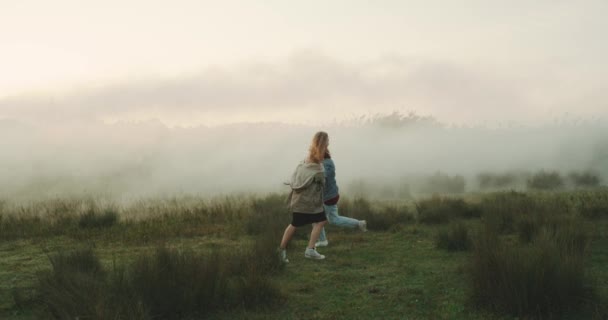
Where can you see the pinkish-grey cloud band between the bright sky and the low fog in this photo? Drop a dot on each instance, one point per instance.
(310, 87)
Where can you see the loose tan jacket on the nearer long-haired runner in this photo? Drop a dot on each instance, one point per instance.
(307, 183)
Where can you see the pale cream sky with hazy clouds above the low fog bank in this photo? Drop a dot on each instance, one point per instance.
(203, 62)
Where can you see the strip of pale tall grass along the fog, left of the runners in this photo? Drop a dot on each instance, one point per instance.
(144, 220)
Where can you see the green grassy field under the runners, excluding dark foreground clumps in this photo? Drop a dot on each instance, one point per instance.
(394, 271)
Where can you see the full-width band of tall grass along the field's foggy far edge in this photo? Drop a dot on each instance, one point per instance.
(156, 219)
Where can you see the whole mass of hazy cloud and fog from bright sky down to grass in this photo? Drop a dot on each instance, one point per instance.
(243, 129)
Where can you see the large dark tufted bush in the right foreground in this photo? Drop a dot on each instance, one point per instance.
(542, 279)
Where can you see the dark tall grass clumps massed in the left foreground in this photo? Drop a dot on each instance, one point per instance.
(166, 284)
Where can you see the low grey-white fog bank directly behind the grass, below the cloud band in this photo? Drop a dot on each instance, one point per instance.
(124, 160)
